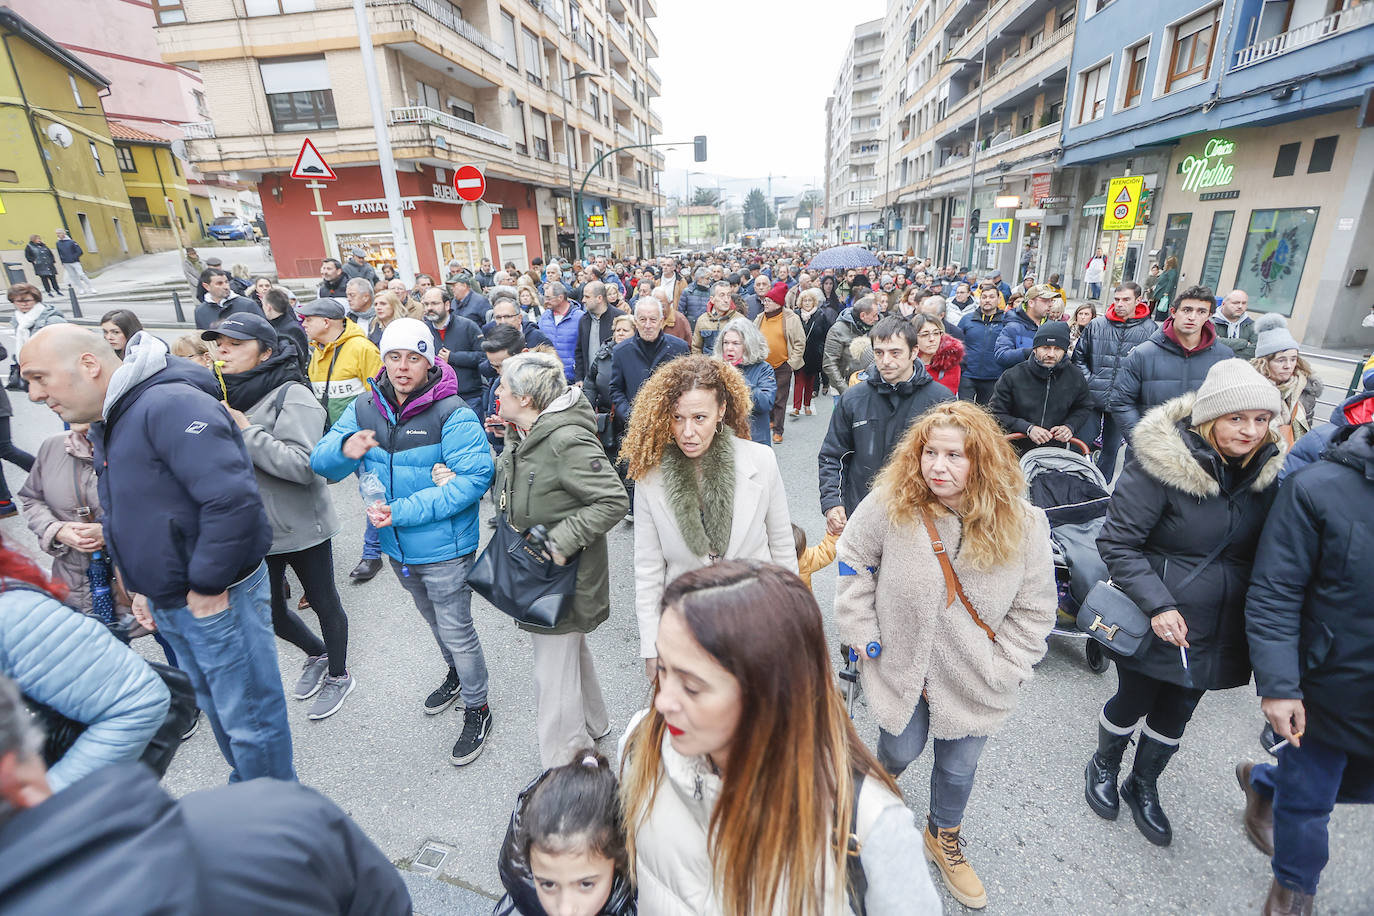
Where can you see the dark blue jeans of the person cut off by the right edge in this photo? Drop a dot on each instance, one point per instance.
(1305, 788)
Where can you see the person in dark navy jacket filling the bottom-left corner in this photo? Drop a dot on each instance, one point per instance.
(264, 847)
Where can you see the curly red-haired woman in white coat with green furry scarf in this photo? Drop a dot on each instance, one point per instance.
(704, 491)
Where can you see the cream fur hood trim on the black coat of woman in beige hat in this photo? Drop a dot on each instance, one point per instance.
(1175, 457)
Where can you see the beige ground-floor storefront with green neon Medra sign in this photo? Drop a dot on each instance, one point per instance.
(1261, 211)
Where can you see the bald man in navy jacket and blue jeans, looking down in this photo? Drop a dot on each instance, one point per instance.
(183, 523)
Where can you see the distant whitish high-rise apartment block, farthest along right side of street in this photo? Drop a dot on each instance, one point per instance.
(854, 134)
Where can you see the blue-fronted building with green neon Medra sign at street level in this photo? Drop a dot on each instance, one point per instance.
(1247, 119)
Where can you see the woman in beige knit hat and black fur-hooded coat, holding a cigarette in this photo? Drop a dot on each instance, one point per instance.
(1203, 473)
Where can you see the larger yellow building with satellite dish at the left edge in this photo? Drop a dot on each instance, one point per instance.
(57, 159)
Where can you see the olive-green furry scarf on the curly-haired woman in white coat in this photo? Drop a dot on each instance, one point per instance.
(703, 503)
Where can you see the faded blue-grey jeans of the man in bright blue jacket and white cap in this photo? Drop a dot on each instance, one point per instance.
(446, 602)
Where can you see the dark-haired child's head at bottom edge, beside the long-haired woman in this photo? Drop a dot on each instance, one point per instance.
(565, 848)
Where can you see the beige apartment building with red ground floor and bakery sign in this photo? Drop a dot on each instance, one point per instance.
(535, 93)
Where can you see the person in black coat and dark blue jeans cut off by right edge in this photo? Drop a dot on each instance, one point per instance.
(1310, 624)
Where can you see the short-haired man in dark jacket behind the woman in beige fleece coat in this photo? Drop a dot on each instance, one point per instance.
(872, 418)
